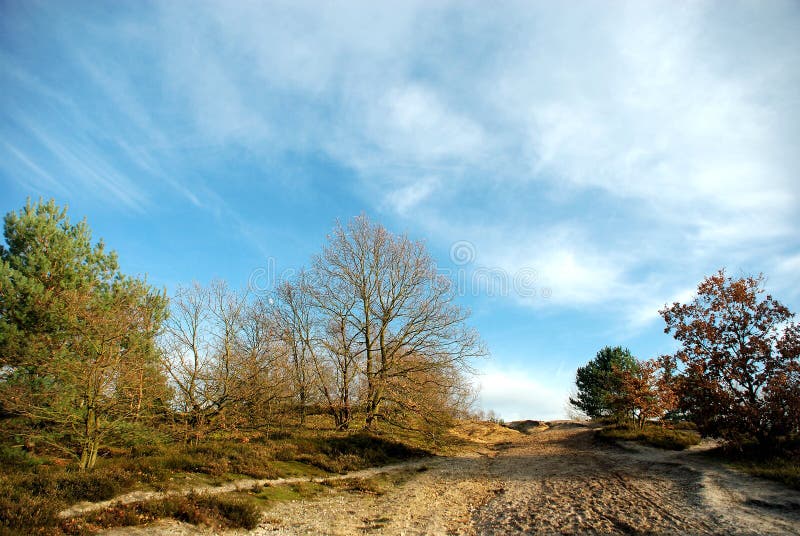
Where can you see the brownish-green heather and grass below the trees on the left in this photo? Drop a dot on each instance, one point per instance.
(34, 489)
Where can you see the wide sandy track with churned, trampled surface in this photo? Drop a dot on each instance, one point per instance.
(554, 480)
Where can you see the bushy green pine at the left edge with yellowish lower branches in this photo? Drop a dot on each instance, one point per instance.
(76, 335)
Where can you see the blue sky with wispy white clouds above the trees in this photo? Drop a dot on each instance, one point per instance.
(605, 156)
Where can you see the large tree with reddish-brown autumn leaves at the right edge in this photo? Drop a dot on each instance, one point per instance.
(739, 351)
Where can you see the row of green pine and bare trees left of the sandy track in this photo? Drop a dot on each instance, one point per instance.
(369, 335)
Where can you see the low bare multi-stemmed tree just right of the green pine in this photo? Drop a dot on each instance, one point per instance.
(221, 358)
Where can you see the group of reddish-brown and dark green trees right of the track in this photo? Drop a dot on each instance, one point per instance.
(736, 373)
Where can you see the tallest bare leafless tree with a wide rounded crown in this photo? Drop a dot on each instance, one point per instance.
(404, 314)
